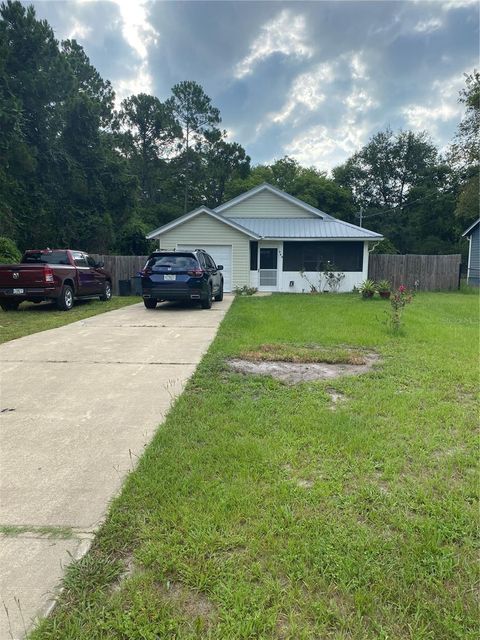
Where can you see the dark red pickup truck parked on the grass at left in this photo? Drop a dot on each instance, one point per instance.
(60, 275)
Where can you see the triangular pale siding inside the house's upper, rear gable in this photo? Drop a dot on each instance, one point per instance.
(266, 205)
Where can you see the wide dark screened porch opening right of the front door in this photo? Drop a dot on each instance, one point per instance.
(314, 256)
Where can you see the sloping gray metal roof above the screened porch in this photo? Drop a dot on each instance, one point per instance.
(306, 228)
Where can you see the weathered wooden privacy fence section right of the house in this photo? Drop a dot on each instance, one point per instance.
(425, 273)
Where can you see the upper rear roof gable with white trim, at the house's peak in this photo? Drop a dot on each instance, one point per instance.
(266, 201)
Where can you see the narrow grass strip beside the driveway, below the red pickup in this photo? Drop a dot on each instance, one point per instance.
(32, 318)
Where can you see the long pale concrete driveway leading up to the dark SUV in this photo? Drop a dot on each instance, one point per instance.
(78, 404)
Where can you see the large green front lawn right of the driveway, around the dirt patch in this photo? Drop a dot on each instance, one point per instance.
(259, 512)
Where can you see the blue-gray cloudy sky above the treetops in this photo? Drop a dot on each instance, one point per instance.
(313, 80)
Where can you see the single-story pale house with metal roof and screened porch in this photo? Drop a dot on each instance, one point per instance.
(265, 238)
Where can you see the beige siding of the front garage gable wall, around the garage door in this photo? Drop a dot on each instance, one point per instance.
(205, 230)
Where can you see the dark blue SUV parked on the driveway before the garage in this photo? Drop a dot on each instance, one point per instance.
(181, 275)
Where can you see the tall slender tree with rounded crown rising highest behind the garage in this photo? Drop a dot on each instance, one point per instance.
(194, 111)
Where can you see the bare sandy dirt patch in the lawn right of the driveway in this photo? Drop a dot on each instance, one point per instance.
(295, 372)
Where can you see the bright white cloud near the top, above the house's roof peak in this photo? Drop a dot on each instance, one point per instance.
(285, 34)
